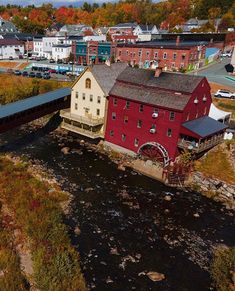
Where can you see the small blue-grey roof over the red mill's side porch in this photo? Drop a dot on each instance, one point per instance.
(204, 126)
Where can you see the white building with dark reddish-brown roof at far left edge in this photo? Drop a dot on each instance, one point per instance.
(11, 48)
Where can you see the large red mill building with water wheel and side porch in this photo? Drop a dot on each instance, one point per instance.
(158, 114)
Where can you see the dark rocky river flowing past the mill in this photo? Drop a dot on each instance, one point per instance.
(129, 224)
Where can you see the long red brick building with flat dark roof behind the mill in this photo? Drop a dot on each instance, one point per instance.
(166, 54)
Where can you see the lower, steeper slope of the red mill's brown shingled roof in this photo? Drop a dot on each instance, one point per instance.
(153, 96)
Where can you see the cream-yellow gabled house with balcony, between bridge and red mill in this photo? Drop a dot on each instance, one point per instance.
(87, 113)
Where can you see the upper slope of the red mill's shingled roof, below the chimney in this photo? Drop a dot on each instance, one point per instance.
(167, 81)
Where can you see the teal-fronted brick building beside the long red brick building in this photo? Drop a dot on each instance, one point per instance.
(93, 52)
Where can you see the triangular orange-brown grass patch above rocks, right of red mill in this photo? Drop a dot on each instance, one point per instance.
(216, 164)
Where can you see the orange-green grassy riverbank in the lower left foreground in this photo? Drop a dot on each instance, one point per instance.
(36, 207)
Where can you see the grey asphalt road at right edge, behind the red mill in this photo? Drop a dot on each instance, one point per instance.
(216, 73)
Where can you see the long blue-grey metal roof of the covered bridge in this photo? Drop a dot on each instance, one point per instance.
(28, 103)
